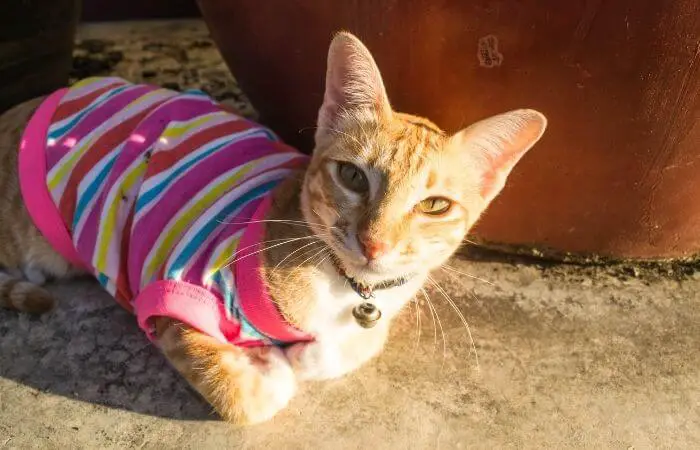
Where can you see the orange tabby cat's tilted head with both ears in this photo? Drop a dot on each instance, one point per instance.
(391, 193)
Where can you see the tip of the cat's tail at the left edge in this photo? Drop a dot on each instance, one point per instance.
(21, 295)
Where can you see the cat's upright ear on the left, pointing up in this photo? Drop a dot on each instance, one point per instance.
(354, 86)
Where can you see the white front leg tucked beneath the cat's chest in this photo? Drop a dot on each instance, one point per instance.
(329, 358)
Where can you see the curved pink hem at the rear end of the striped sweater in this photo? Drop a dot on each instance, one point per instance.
(32, 180)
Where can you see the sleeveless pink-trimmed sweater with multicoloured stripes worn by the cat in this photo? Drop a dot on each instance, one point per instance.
(160, 195)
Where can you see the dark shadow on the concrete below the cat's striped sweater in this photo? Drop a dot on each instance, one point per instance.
(90, 349)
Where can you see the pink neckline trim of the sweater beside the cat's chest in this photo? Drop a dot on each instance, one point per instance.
(254, 300)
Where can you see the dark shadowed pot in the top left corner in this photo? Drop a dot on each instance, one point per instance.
(36, 47)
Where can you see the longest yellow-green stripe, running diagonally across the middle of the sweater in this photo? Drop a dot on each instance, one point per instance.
(186, 218)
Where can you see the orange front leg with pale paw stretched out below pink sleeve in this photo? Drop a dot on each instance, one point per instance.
(244, 385)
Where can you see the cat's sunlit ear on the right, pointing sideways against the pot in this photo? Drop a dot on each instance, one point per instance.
(497, 144)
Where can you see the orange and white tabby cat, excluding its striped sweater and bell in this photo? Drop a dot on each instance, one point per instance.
(386, 196)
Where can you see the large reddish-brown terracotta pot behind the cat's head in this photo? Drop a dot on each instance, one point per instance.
(617, 171)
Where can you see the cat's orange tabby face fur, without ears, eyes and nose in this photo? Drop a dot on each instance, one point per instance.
(406, 159)
